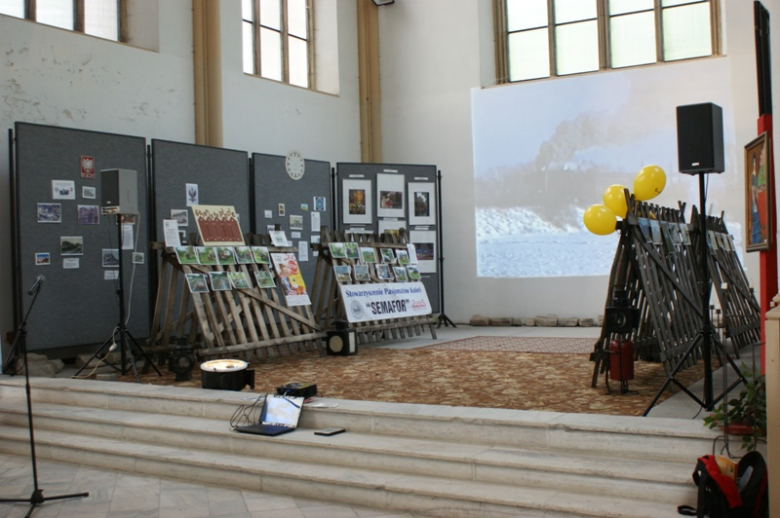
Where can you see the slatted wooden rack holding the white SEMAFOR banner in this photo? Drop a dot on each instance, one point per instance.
(328, 308)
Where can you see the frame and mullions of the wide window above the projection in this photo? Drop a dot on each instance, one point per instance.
(603, 18)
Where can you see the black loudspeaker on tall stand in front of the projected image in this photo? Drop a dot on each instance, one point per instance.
(700, 138)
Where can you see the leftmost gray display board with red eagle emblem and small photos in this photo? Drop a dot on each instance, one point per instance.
(61, 234)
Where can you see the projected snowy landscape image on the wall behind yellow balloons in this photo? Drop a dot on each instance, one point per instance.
(545, 151)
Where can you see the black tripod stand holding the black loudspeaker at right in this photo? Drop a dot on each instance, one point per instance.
(704, 337)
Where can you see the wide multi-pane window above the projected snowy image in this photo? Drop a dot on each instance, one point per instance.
(548, 38)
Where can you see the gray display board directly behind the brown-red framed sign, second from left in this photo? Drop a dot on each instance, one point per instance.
(188, 174)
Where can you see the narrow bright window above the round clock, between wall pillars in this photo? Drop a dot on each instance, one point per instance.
(277, 40)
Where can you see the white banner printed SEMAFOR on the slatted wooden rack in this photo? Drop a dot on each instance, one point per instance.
(365, 302)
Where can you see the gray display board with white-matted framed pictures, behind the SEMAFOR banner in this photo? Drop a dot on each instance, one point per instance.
(375, 198)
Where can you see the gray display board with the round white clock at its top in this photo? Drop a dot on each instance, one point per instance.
(299, 206)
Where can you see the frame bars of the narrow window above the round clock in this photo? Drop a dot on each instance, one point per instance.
(285, 50)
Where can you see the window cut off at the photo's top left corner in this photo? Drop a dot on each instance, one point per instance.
(101, 18)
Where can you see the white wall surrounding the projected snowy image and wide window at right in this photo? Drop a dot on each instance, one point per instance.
(432, 54)
